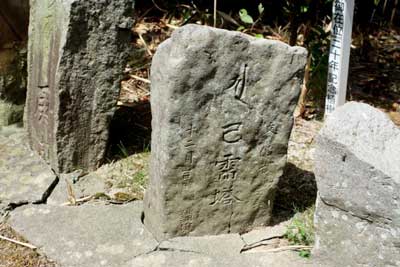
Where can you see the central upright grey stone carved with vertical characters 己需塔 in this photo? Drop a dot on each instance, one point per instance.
(222, 105)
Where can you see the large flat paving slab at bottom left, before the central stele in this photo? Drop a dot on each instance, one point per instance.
(88, 235)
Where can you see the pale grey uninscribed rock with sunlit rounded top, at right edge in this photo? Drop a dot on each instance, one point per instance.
(358, 175)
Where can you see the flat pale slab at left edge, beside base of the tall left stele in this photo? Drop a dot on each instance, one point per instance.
(24, 176)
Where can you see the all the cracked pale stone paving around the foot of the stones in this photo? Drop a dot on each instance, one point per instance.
(98, 232)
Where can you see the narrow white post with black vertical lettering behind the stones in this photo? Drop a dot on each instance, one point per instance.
(338, 68)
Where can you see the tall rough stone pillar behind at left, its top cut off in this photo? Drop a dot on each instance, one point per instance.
(76, 56)
